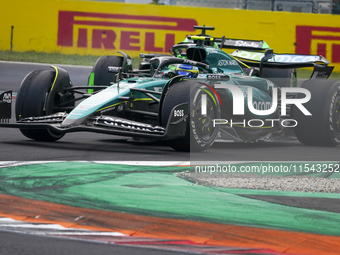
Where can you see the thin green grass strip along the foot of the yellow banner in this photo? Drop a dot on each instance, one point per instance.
(89, 60)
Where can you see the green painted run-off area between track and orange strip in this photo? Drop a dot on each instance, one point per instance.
(157, 191)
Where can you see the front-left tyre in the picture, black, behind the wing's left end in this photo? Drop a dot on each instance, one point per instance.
(39, 94)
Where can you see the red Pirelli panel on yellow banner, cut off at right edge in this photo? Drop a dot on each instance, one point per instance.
(323, 41)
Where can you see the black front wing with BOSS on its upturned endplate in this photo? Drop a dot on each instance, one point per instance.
(176, 126)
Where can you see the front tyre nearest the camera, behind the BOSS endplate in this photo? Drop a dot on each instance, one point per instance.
(200, 132)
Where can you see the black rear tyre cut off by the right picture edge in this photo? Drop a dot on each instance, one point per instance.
(323, 127)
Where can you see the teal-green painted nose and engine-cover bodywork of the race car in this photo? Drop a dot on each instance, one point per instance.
(219, 63)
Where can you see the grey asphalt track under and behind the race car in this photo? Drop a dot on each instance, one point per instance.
(92, 146)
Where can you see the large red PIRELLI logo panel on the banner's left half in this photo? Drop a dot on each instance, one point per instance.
(130, 32)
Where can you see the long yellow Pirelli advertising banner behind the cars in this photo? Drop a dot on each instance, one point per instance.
(103, 28)
